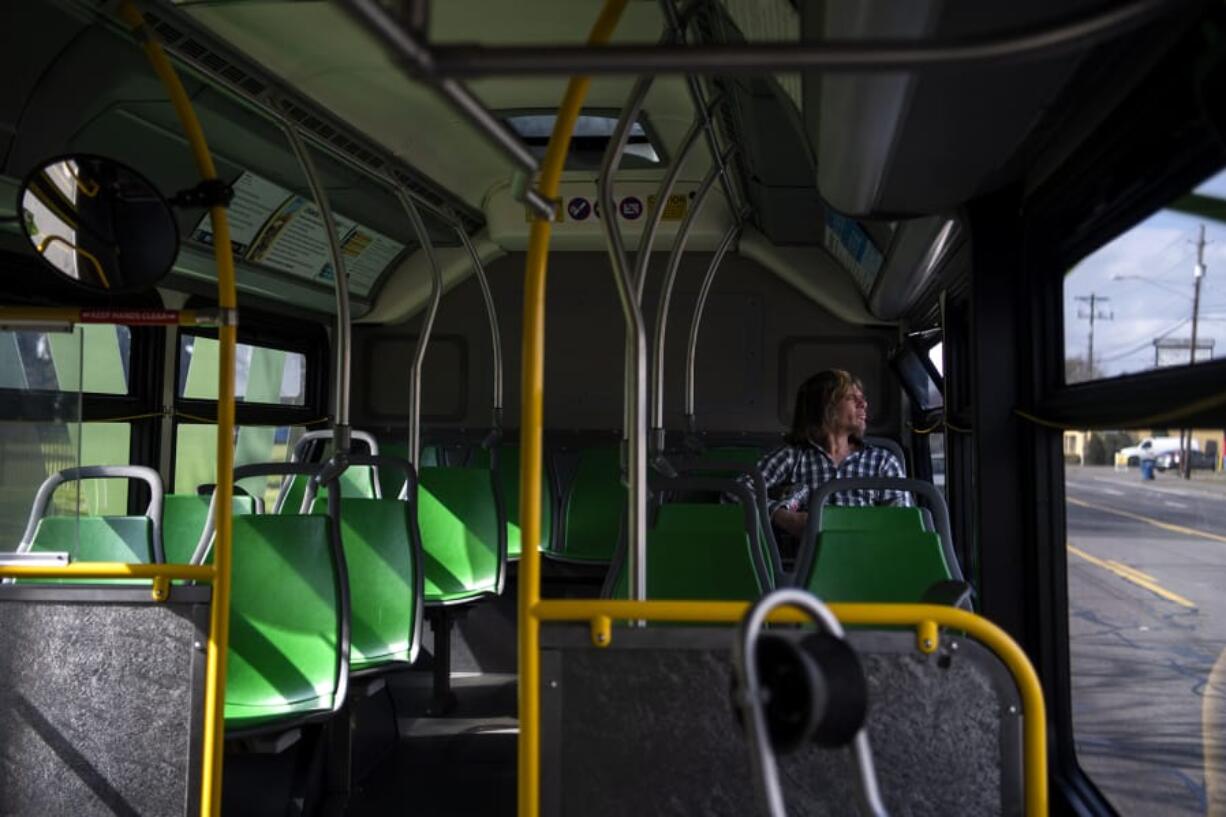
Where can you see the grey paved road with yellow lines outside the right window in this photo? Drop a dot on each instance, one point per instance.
(1148, 639)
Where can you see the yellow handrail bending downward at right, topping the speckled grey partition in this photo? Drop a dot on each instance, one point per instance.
(924, 618)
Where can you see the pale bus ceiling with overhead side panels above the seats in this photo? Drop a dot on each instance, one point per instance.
(898, 153)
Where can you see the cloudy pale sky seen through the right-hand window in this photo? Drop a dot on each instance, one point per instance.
(1147, 275)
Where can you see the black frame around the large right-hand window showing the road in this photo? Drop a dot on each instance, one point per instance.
(1117, 183)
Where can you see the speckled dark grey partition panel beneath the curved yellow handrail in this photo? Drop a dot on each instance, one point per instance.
(658, 734)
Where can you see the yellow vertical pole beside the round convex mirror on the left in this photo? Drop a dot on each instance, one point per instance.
(227, 300)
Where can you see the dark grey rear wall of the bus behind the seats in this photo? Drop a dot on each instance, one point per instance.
(760, 339)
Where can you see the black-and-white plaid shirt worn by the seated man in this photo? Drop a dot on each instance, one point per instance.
(793, 472)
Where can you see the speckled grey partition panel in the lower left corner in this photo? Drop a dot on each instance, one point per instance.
(101, 706)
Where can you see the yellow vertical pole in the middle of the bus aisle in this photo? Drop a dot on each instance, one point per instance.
(531, 423)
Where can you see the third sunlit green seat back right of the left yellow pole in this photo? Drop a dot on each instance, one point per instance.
(459, 527)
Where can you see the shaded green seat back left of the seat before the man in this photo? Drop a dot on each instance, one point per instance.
(698, 551)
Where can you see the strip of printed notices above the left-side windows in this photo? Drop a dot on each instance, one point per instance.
(280, 230)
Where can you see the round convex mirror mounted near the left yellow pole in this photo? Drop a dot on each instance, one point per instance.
(100, 224)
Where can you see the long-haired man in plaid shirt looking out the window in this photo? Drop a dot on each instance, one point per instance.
(827, 442)
